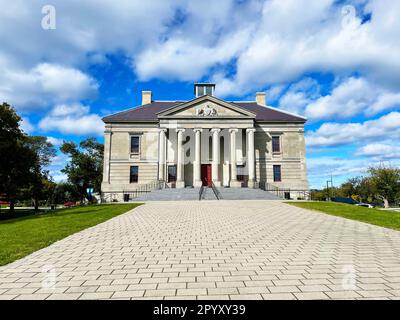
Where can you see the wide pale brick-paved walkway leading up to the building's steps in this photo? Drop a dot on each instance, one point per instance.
(213, 250)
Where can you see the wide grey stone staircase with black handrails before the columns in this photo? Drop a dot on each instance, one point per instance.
(208, 194)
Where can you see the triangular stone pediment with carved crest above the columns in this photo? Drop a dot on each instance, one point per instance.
(206, 107)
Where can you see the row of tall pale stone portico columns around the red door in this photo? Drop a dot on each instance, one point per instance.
(195, 147)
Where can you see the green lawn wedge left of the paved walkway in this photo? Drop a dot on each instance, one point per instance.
(20, 237)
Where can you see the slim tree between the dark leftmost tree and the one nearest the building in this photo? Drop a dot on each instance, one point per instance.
(44, 151)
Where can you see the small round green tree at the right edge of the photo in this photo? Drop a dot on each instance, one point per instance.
(386, 183)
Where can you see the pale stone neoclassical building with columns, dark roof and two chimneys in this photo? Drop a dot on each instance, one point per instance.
(202, 141)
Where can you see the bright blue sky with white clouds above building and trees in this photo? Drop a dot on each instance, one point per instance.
(335, 62)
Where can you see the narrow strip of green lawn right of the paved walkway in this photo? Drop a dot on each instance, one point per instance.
(388, 219)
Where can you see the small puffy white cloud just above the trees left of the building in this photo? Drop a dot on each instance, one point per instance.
(72, 119)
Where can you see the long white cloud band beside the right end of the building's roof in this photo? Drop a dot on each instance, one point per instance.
(337, 134)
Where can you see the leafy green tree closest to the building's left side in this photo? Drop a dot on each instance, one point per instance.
(85, 168)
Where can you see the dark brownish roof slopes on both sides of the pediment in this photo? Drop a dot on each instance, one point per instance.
(149, 112)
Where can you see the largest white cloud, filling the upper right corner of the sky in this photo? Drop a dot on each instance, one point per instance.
(318, 39)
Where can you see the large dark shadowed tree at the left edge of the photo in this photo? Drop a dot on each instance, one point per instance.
(16, 157)
